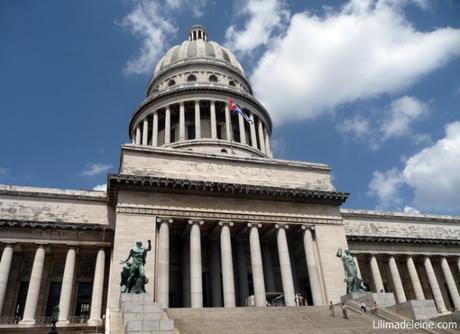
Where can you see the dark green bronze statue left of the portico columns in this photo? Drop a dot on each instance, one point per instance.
(133, 278)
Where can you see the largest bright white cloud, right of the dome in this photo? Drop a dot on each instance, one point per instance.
(365, 49)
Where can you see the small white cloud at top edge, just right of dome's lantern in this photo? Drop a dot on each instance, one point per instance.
(264, 17)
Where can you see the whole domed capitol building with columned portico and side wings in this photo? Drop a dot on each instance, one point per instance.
(233, 229)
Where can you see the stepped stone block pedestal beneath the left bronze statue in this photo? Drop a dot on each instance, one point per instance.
(140, 314)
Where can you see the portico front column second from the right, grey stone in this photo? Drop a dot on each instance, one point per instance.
(285, 265)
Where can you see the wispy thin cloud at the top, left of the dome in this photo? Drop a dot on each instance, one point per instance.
(150, 22)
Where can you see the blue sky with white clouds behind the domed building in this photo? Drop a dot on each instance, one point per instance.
(371, 88)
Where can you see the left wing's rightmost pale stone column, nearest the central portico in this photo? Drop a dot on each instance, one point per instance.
(98, 290)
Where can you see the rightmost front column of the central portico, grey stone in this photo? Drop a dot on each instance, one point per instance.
(312, 267)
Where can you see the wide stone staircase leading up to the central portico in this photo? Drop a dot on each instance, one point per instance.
(283, 320)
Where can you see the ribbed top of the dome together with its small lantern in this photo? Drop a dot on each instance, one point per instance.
(196, 48)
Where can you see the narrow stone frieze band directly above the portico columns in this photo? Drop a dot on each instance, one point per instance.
(228, 216)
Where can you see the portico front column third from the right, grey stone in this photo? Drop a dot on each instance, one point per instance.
(256, 264)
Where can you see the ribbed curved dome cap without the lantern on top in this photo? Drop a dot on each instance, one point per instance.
(197, 49)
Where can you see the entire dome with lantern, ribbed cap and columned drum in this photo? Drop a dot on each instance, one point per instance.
(187, 103)
